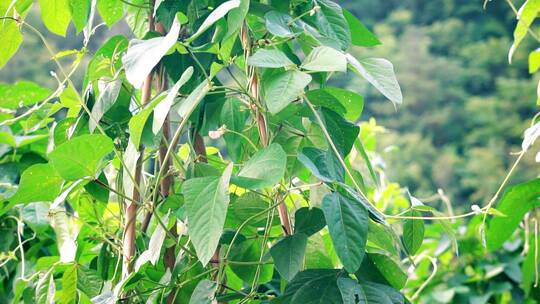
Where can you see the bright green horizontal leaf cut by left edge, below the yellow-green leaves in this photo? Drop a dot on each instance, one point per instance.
(21, 94)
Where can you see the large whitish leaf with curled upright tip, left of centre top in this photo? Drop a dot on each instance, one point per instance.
(143, 55)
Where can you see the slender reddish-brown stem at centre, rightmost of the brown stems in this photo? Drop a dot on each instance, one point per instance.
(253, 86)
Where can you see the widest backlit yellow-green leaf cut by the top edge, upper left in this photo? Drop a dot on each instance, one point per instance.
(55, 15)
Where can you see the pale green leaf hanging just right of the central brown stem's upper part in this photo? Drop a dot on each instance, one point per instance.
(281, 88)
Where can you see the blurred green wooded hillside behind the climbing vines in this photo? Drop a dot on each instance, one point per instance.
(464, 109)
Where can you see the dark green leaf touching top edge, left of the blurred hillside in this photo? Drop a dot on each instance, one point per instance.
(331, 23)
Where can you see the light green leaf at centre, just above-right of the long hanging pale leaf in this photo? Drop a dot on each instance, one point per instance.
(272, 158)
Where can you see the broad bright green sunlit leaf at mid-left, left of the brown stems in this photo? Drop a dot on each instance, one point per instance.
(81, 157)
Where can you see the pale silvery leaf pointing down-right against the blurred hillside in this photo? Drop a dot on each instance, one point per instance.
(380, 73)
